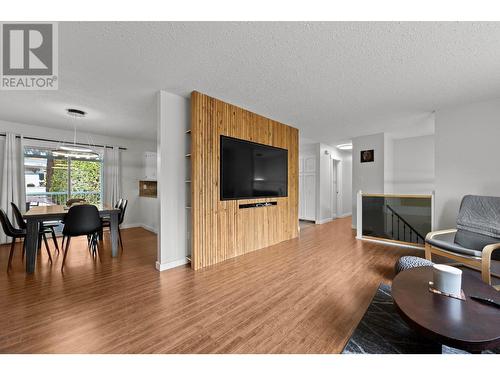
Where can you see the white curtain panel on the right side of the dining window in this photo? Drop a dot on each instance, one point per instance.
(112, 175)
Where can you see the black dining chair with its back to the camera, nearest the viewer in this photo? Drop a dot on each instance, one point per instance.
(81, 220)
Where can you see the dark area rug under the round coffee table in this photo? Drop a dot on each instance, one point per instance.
(382, 331)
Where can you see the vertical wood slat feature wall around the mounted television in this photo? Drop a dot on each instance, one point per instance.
(221, 230)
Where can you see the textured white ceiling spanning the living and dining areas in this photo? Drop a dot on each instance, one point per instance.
(331, 80)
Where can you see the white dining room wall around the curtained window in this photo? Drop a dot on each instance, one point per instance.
(140, 211)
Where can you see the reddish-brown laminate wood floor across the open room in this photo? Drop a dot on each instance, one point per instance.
(301, 296)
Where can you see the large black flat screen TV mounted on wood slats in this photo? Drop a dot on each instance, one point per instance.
(252, 170)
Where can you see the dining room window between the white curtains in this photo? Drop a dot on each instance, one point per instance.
(53, 180)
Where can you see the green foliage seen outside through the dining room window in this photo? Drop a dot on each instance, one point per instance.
(85, 177)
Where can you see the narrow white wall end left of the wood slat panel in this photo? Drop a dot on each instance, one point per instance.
(173, 121)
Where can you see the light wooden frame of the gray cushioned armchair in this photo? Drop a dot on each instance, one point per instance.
(482, 263)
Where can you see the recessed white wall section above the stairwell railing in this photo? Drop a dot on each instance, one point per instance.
(409, 165)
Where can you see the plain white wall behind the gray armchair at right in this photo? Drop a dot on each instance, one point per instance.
(467, 161)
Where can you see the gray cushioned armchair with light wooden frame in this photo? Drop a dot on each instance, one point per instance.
(474, 241)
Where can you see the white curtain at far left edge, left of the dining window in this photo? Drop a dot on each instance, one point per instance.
(12, 176)
